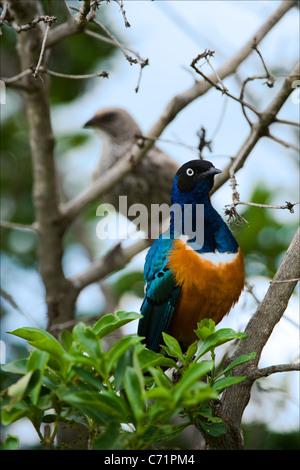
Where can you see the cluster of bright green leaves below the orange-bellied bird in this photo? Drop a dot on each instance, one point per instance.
(122, 396)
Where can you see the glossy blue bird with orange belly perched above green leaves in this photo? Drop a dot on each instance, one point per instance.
(187, 281)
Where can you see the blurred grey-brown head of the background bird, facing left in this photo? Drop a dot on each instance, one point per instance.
(115, 122)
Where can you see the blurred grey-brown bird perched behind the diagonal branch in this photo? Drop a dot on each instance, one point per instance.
(150, 182)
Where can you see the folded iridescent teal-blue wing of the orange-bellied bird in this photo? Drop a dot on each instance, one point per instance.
(161, 296)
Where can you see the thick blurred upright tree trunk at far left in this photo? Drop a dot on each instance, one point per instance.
(60, 293)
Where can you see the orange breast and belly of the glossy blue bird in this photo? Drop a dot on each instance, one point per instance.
(209, 289)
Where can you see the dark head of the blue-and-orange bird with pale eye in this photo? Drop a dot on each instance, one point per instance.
(193, 180)
